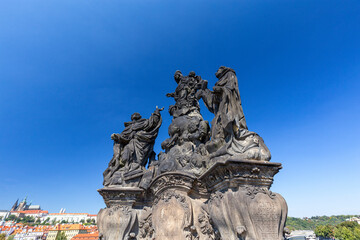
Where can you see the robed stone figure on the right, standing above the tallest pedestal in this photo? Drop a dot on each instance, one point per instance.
(229, 133)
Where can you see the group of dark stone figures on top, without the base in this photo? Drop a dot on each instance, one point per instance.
(189, 133)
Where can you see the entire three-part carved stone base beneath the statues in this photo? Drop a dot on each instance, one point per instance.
(230, 201)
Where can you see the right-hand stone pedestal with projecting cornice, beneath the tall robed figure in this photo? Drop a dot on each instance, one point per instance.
(241, 206)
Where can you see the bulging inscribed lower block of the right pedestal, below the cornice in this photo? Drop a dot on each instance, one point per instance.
(248, 213)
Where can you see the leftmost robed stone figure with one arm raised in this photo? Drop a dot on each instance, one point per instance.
(133, 147)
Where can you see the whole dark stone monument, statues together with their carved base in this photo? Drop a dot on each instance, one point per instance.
(210, 183)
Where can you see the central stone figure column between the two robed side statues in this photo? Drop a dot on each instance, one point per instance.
(188, 130)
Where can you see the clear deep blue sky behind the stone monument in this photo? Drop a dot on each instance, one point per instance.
(71, 72)
